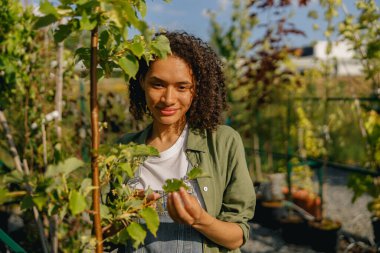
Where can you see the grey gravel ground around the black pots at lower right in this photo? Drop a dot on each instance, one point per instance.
(354, 217)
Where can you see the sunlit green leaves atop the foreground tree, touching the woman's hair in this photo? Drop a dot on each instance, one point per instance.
(115, 18)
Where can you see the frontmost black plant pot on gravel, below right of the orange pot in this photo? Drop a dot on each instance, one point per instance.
(323, 235)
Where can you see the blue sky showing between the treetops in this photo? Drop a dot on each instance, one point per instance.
(190, 15)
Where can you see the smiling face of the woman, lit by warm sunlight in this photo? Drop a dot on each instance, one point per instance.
(169, 88)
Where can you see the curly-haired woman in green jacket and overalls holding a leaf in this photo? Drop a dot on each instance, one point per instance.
(185, 96)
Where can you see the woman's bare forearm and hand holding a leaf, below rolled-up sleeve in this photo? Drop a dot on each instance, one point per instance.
(184, 208)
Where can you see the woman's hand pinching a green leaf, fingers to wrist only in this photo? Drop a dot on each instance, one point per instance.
(184, 208)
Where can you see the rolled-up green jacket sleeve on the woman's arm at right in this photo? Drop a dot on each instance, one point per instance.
(239, 196)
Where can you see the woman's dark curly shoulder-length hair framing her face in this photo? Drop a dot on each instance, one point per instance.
(209, 101)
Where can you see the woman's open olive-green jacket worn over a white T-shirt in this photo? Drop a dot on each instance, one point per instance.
(228, 192)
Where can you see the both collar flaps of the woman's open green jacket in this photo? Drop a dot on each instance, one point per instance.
(196, 140)
